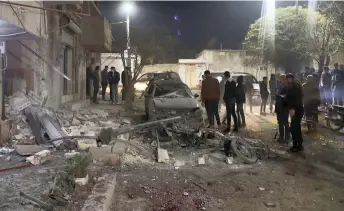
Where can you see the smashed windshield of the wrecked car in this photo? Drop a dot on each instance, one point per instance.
(172, 91)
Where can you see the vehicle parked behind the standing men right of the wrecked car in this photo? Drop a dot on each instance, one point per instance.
(235, 75)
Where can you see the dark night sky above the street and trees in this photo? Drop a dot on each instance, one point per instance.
(202, 24)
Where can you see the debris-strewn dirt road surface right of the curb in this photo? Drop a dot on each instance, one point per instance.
(312, 180)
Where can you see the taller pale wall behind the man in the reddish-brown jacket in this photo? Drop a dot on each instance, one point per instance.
(231, 60)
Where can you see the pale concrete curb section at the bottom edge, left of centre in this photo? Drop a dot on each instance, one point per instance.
(102, 194)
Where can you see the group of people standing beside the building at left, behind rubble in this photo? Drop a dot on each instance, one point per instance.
(106, 79)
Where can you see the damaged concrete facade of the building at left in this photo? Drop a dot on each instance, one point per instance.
(27, 71)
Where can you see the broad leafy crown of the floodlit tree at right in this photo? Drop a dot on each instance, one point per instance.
(300, 35)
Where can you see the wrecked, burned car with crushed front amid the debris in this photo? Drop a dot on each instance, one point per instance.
(168, 98)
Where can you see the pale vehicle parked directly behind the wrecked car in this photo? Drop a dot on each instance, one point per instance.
(143, 81)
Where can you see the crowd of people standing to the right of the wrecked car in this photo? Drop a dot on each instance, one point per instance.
(289, 98)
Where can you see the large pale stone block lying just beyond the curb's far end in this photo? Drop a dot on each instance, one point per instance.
(104, 154)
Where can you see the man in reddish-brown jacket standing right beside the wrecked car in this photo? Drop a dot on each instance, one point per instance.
(210, 94)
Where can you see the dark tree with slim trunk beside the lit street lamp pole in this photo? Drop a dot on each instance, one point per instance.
(150, 45)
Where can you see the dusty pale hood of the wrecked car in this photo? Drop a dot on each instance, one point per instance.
(176, 103)
